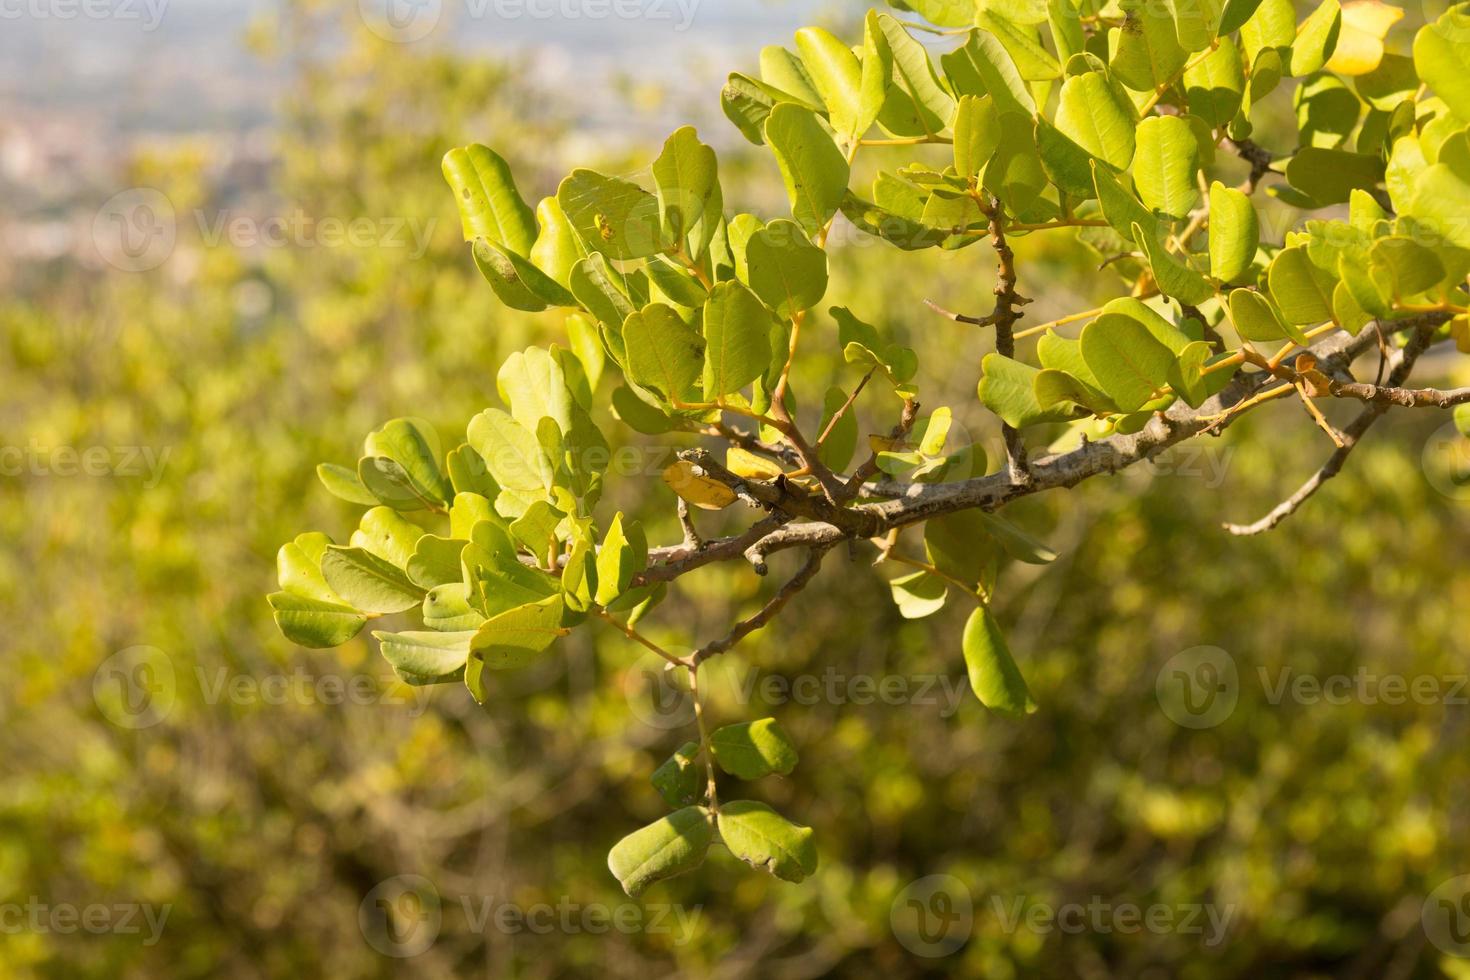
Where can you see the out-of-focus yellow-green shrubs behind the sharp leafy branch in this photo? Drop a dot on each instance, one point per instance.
(264, 824)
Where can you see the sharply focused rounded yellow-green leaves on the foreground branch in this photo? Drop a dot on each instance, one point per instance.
(1103, 124)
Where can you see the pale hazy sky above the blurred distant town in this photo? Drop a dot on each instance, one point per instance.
(180, 64)
